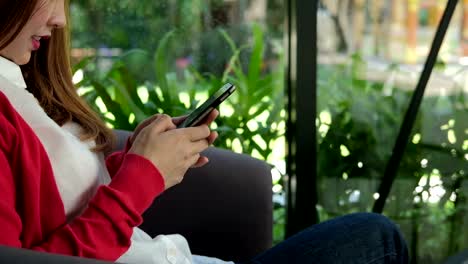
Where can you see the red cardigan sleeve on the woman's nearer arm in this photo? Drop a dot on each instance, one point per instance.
(103, 231)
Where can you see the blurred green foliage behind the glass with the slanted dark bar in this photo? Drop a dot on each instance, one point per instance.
(358, 123)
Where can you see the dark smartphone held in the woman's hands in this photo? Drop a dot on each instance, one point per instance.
(203, 110)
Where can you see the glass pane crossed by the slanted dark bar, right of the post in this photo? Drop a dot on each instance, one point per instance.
(371, 54)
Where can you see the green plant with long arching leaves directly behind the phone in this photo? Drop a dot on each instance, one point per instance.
(252, 119)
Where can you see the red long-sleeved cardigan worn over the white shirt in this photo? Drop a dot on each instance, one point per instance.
(31, 211)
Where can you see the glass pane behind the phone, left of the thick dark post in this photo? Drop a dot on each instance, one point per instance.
(137, 58)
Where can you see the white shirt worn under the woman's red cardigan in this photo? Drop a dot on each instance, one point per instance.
(78, 172)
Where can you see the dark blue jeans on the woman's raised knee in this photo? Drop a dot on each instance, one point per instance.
(355, 238)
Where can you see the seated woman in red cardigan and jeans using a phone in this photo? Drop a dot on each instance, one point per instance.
(59, 193)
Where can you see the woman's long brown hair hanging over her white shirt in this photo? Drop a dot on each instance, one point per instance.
(48, 74)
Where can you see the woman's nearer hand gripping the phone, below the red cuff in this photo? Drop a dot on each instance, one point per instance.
(172, 151)
